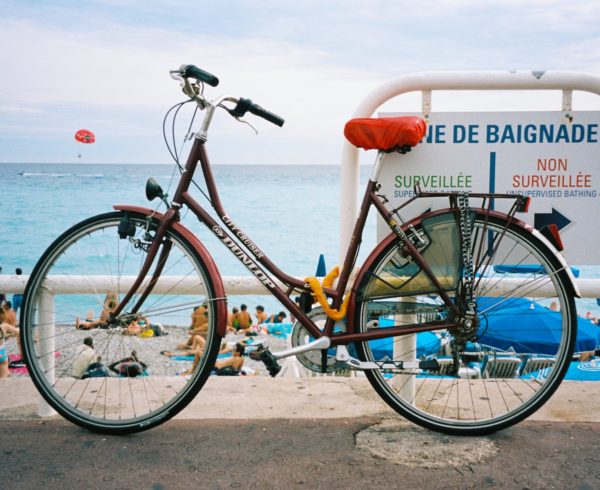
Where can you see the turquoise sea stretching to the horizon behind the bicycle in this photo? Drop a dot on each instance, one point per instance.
(290, 212)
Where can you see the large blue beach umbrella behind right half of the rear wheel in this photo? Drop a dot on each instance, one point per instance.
(528, 327)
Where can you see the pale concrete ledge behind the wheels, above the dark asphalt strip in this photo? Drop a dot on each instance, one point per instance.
(304, 398)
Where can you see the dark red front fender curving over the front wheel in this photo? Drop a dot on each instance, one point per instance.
(208, 262)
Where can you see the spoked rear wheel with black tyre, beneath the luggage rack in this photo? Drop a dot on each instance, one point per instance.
(498, 372)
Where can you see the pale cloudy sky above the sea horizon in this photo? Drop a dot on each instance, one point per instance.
(104, 65)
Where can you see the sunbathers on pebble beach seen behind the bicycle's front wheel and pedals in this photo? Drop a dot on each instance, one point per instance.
(148, 348)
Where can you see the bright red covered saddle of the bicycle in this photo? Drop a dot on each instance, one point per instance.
(387, 134)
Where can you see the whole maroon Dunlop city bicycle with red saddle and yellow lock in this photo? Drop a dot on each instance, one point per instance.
(429, 317)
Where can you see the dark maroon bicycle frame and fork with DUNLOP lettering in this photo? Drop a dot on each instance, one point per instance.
(257, 262)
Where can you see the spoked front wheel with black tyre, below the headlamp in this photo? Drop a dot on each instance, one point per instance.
(107, 374)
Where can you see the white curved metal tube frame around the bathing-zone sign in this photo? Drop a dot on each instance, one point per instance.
(426, 82)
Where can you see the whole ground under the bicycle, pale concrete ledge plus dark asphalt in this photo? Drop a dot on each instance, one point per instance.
(256, 432)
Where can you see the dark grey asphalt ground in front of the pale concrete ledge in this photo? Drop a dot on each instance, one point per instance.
(296, 454)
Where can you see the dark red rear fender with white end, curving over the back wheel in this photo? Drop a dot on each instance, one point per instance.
(416, 221)
